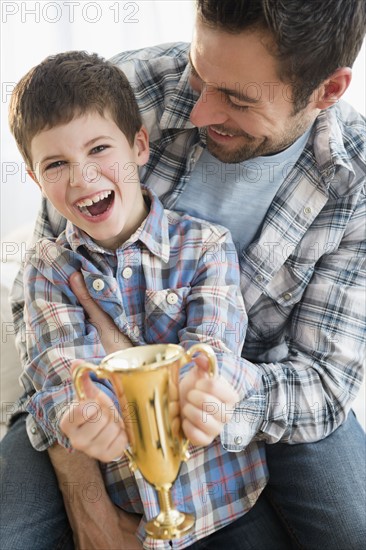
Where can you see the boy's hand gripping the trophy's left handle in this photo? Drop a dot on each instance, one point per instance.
(93, 425)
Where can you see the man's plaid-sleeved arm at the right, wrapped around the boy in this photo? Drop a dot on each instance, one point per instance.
(306, 392)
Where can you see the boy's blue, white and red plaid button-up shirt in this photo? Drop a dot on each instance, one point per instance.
(170, 254)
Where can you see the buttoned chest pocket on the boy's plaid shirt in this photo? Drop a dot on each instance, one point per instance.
(165, 314)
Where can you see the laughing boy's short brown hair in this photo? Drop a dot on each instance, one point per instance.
(68, 85)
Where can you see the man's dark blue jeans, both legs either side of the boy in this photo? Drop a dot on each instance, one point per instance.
(315, 498)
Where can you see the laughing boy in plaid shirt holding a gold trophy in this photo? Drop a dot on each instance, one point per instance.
(160, 275)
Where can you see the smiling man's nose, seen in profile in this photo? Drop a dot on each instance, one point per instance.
(210, 108)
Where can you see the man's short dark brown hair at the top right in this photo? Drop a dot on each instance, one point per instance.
(310, 38)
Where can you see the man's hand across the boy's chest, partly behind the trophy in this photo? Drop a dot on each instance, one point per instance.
(111, 338)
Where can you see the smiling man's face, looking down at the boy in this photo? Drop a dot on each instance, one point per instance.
(246, 109)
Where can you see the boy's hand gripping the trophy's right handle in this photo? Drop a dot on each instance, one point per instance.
(207, 403)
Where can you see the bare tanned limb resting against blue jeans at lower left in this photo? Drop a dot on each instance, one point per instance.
(96, 522)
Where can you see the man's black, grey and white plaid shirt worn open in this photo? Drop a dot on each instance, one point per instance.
(303, 279)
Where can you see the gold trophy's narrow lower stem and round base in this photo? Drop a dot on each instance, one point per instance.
(169, 523)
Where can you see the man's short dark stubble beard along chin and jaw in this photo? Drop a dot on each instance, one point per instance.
(258, 147)
